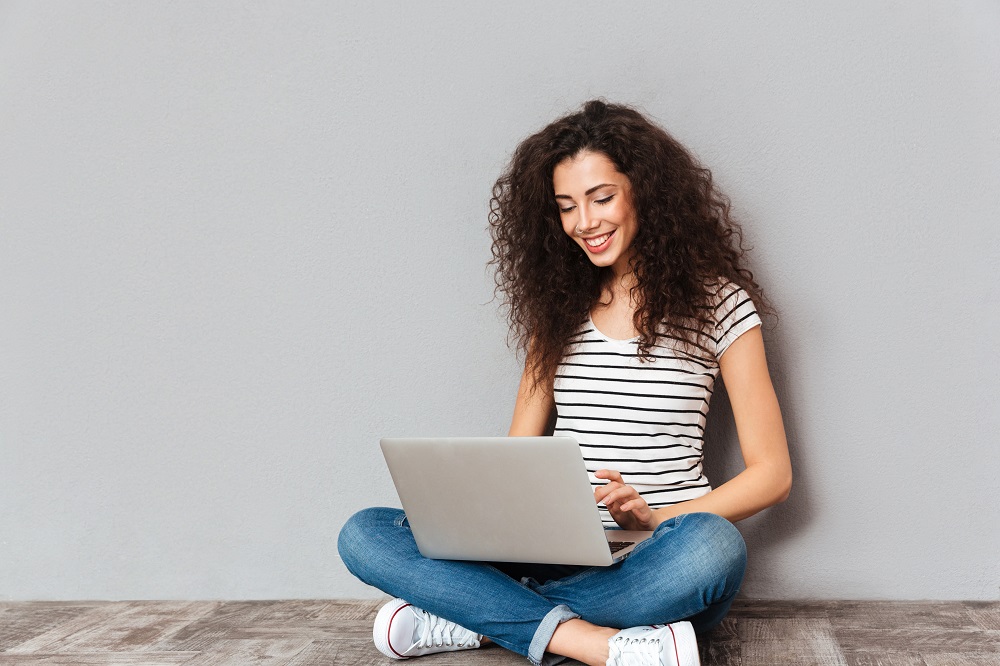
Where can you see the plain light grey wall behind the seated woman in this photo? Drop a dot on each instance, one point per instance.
(240, 242)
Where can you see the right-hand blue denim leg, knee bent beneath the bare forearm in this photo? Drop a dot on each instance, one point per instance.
(691, 568)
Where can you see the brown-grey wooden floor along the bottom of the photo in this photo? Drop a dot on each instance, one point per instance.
(300, 633)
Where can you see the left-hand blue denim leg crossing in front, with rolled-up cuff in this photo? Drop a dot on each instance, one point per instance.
(377, 546)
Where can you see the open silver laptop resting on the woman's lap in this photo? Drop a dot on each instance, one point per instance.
(503, 499)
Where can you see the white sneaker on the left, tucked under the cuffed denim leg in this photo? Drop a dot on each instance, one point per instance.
(402, 630)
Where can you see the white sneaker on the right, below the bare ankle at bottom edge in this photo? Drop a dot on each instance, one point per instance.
(656, 645)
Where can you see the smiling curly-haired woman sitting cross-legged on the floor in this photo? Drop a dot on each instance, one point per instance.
(624, 278)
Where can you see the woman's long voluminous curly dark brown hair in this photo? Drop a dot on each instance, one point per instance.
(686, 241)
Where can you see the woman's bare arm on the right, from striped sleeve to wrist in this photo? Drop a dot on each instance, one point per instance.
(767, 478)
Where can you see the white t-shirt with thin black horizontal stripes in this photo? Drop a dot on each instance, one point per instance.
(646, 419)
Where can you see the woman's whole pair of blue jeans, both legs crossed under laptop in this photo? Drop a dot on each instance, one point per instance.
(691, 568)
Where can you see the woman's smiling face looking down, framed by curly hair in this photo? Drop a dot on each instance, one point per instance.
(595, 205)
